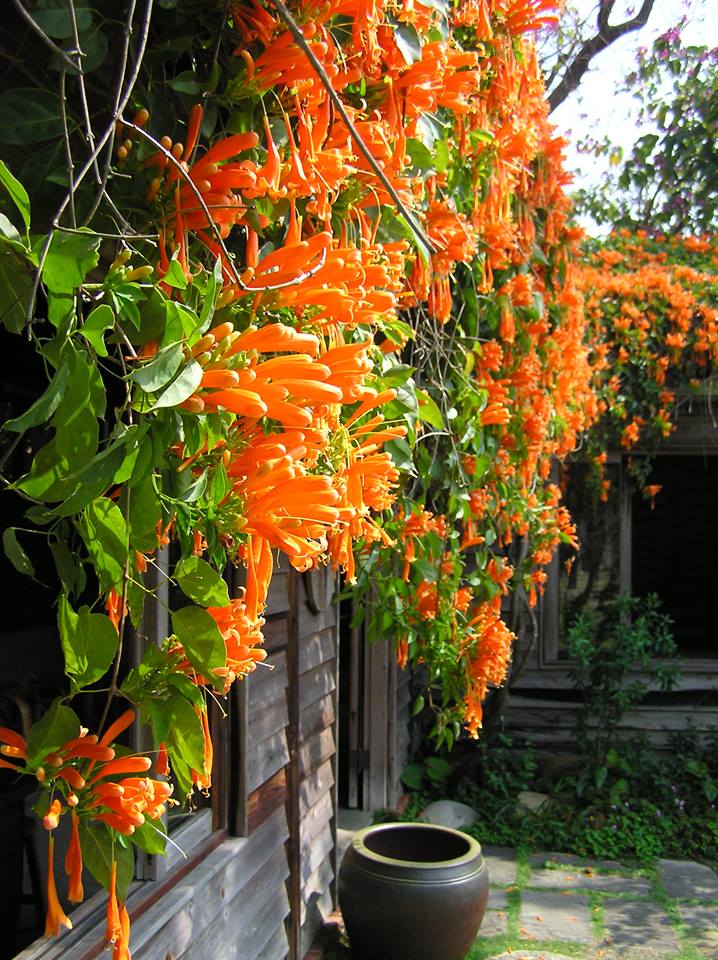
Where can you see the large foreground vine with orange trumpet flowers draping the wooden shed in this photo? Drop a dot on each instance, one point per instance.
(302, 285)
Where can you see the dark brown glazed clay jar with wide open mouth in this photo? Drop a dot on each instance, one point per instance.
(411, 891)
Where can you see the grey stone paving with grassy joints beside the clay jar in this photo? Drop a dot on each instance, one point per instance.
(558, 907)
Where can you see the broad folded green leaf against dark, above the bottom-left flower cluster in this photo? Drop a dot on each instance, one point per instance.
(89, 642)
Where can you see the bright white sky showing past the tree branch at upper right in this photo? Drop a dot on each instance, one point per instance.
(598, 108)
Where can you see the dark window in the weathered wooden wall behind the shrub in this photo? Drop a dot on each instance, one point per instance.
(632, 543)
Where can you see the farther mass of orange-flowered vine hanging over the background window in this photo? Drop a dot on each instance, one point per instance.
(652, 306)
